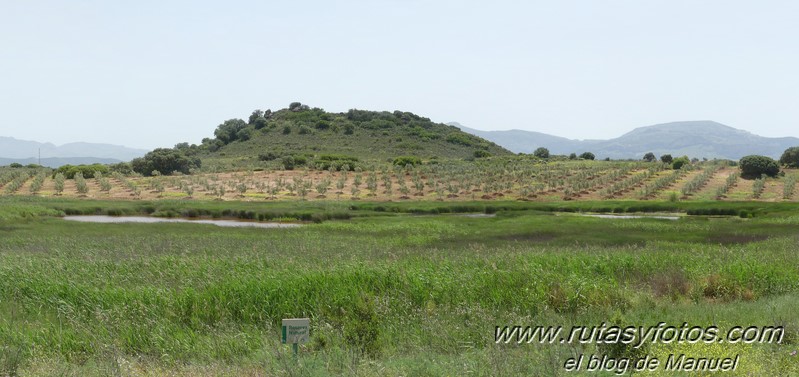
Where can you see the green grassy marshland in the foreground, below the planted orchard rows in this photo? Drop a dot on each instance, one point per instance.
(394, 294)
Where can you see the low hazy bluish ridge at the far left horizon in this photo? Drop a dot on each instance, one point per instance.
(11, 148)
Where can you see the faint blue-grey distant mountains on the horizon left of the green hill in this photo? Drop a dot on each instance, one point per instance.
(27, 152)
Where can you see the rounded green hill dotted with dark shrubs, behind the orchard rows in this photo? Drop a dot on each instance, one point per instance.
(363, 135)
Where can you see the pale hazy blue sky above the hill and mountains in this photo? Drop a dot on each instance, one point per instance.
(154, 73)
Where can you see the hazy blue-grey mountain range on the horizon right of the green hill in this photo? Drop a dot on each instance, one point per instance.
(692, 138)
